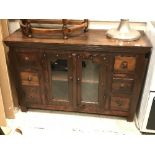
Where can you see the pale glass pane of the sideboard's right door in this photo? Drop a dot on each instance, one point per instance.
(90, 80)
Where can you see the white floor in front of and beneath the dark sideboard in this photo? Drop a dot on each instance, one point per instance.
(35, 122)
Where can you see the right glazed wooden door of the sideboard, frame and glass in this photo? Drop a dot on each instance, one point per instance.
(91, 82)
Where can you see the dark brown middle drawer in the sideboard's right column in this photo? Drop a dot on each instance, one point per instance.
(122, 85)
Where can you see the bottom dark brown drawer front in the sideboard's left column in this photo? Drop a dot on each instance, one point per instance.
(31, 95)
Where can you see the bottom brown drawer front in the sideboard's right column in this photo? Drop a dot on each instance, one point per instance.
(120, 103)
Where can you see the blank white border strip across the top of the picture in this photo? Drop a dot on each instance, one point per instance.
(104, 10)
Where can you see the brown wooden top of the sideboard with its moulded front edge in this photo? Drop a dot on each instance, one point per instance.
(95, 38)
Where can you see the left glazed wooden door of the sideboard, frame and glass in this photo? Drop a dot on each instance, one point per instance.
(59, 80)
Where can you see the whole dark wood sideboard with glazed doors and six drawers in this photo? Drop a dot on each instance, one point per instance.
(87, 73)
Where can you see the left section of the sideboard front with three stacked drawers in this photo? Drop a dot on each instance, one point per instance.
(28, 76)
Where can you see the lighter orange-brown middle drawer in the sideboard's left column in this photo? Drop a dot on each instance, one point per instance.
(29, 78)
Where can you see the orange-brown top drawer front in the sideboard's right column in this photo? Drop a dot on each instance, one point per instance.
(124, 64)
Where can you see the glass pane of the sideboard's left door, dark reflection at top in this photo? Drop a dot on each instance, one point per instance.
(60, 79)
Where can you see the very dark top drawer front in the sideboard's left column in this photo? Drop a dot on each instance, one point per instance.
(28, 59)
